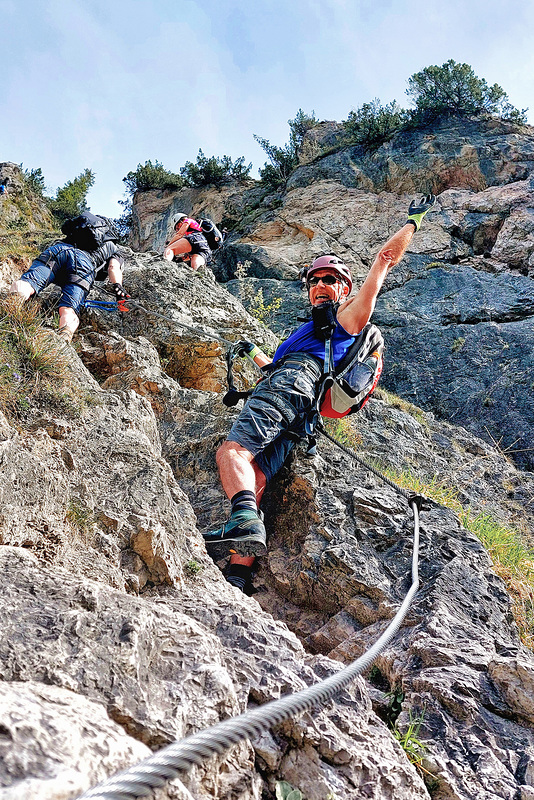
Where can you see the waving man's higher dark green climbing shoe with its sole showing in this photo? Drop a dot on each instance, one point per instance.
(243, 533)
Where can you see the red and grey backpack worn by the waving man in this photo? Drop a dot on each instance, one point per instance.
(348, 386)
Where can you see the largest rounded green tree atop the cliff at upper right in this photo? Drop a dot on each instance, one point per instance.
(454, 90)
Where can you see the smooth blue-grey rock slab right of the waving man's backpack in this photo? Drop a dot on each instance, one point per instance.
(458, 344)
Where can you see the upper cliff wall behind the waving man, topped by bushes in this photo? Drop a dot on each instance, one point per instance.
(470, 251)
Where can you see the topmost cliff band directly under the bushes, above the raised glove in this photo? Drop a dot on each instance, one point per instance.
(467, 154)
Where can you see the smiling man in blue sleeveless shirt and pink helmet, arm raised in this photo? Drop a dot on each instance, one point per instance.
(282, 405)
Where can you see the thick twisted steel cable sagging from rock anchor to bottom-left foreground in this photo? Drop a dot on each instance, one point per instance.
(140, 780)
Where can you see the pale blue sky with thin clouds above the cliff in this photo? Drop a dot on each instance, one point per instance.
(108, 85)
